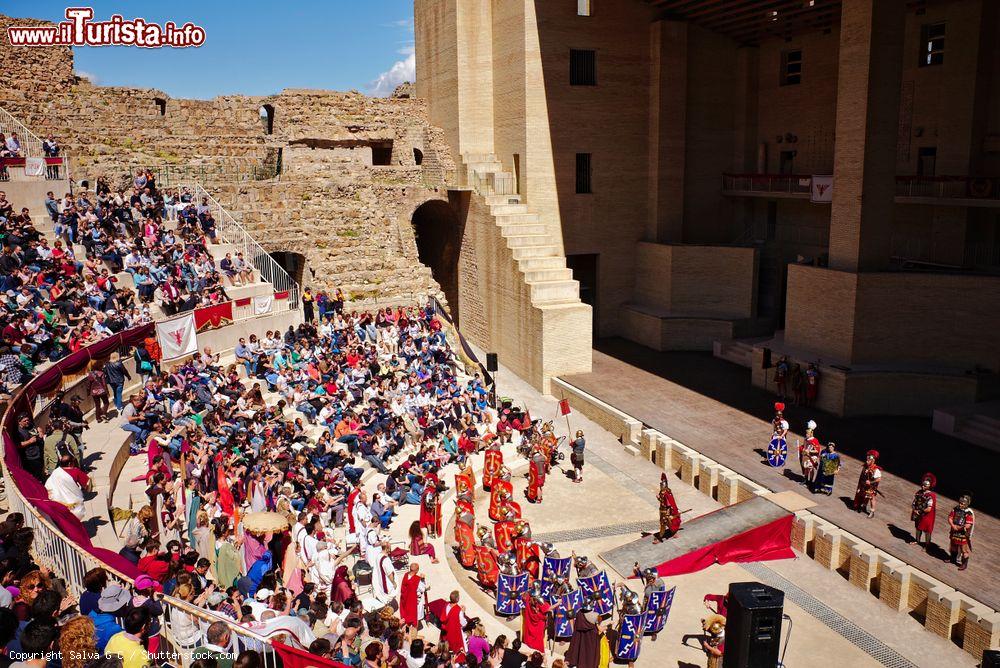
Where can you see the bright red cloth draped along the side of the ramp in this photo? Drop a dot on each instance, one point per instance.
(770, 541)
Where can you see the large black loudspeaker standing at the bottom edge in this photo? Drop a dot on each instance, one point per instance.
(753, 626)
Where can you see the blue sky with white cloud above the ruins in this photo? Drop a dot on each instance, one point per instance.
(252, 47)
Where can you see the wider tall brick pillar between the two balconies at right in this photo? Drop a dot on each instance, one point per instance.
(871, 41)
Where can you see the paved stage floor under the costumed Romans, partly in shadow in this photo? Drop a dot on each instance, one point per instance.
(727, 430)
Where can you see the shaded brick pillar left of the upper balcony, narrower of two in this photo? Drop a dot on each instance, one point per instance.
(667, 130)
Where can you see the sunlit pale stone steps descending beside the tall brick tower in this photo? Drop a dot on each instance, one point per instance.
(538, 255)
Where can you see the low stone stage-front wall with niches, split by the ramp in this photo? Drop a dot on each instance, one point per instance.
(941, 609)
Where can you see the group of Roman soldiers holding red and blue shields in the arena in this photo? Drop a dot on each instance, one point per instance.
(532, 580)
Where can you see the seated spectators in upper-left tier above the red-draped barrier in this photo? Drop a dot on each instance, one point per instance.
(55, 301)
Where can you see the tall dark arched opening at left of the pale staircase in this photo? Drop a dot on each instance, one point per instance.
(439, 230)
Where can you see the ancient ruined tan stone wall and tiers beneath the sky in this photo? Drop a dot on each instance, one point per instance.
(349, 218)
